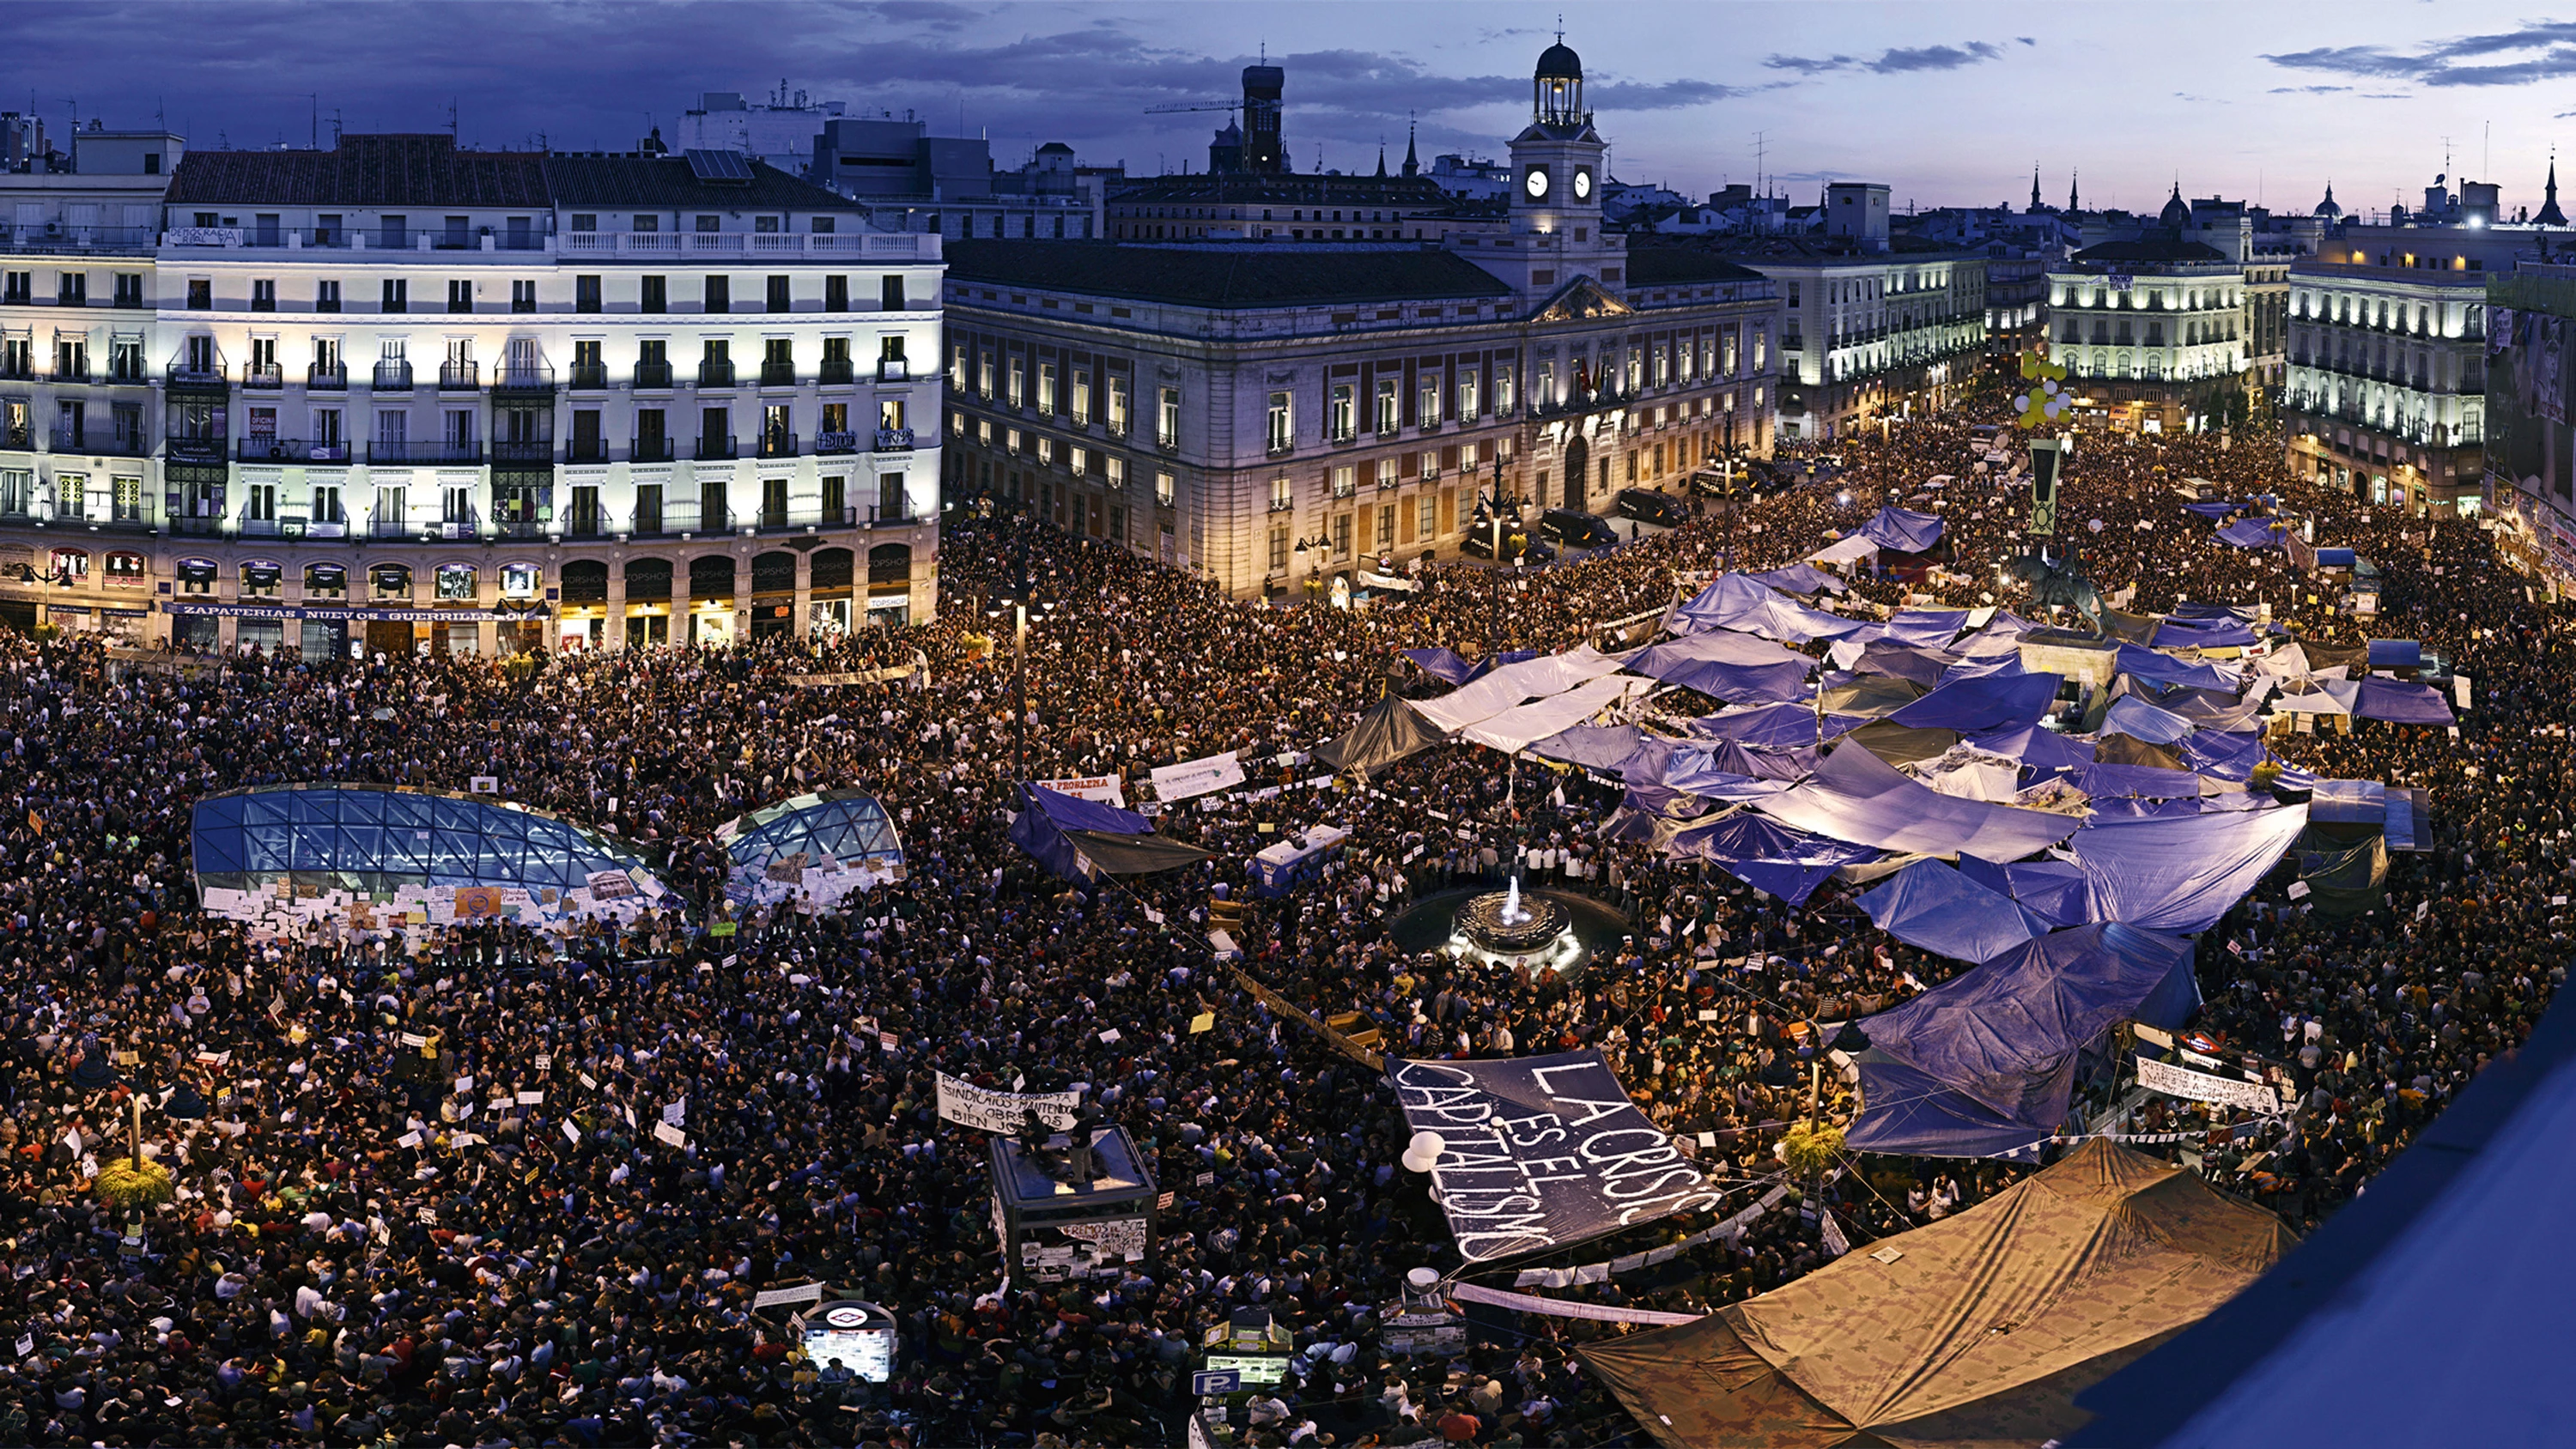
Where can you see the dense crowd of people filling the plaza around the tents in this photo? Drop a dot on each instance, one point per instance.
(323, 1283)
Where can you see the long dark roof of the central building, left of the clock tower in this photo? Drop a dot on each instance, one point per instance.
(1233, 277)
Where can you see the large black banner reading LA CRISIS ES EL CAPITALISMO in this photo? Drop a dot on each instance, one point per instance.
(1542, 1152)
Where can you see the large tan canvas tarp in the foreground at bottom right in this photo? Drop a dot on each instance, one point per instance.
(1980, 1334)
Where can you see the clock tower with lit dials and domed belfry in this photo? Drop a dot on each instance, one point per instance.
(1557, 181)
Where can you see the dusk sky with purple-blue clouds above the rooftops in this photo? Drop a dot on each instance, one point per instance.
(1946, 104)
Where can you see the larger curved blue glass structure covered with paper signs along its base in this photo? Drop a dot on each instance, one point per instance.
(398, 856)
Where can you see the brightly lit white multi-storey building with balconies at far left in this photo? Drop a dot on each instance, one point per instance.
(398, 395)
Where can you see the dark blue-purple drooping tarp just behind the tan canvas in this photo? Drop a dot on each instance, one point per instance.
(2005, 1036)
